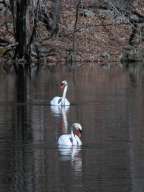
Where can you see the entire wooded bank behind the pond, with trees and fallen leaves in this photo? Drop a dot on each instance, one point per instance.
(54, 32)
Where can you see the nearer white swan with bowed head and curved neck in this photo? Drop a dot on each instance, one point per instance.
(72, 139)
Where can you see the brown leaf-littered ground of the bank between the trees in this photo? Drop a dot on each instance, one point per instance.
(96, 36)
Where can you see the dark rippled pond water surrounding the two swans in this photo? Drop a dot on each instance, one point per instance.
(110, 107)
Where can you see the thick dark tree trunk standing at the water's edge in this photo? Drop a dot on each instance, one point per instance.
(20, 13)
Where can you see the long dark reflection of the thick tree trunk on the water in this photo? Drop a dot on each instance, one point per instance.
(23, 157)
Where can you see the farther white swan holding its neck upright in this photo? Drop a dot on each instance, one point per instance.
(61, 101)
